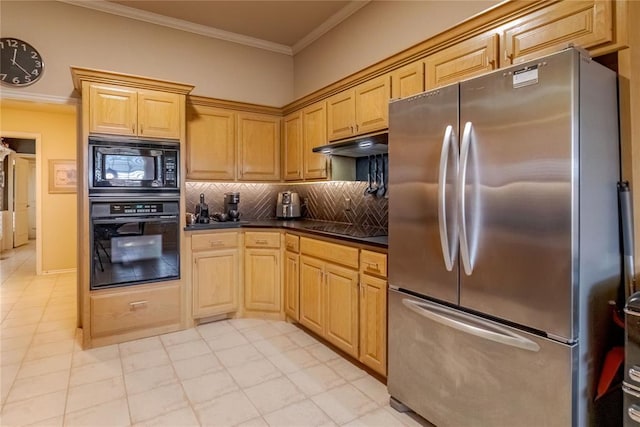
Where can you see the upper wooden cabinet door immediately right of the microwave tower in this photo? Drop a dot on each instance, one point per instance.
(211, 143)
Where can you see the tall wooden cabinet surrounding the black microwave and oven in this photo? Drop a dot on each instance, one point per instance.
(131, 106)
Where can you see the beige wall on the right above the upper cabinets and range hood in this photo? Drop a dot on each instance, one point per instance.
(377, 31)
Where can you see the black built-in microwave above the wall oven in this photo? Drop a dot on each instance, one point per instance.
(129, 165)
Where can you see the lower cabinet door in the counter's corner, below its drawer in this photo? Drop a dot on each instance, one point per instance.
(262, 279)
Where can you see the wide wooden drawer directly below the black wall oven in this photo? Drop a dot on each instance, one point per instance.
(131, 310)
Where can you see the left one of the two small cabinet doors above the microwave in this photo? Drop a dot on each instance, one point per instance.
(113, 110)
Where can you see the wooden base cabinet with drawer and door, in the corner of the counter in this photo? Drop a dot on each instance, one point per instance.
(262, 276)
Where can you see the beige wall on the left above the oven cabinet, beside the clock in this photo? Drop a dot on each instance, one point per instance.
(68, 35)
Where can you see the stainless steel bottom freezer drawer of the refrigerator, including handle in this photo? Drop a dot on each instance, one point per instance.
(455, 369)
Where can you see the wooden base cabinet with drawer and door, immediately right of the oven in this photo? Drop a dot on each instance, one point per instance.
(215, 273)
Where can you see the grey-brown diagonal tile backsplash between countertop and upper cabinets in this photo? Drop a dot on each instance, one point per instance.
(325, 201)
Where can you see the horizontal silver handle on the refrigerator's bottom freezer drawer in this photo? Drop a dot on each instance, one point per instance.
(473, 326)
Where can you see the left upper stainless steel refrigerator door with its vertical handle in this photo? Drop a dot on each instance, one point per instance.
(423, 147)
